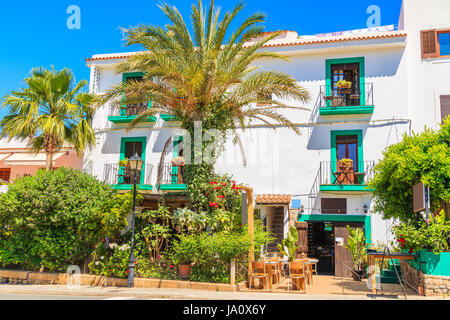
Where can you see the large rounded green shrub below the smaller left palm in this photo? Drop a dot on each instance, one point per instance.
(55, 218)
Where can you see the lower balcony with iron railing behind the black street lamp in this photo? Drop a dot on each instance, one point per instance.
(124, 176)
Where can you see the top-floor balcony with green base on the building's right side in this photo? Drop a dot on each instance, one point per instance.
(354, 100)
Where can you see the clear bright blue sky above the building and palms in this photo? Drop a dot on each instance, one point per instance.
(34, 33)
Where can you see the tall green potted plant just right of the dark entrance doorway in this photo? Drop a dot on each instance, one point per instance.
(356, 244)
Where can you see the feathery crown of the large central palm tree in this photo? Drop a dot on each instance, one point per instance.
(206, 76)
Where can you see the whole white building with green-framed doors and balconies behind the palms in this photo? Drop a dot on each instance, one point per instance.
(396, 87)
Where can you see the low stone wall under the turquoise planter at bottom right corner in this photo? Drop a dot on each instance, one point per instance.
(425, 284)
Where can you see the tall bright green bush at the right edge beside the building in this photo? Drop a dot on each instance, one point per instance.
(423, 157)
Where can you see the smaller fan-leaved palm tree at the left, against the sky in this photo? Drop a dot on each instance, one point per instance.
(48, 112)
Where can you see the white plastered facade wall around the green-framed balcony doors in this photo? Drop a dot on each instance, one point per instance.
(281, 162)
